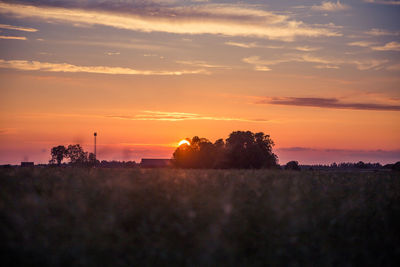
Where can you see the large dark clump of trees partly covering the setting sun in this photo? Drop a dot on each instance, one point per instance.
(241, 150)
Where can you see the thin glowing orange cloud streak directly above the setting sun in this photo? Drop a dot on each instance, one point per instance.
(148, 115)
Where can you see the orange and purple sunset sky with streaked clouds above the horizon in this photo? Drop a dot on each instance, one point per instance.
(322, 78)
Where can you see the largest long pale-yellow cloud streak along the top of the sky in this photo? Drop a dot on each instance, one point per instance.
(217, 19)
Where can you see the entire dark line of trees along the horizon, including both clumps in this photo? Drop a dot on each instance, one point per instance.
(241, 150)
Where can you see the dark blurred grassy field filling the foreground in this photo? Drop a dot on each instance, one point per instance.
(135, 217)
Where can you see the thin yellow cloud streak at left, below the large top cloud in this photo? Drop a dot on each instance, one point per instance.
(65, 67)
